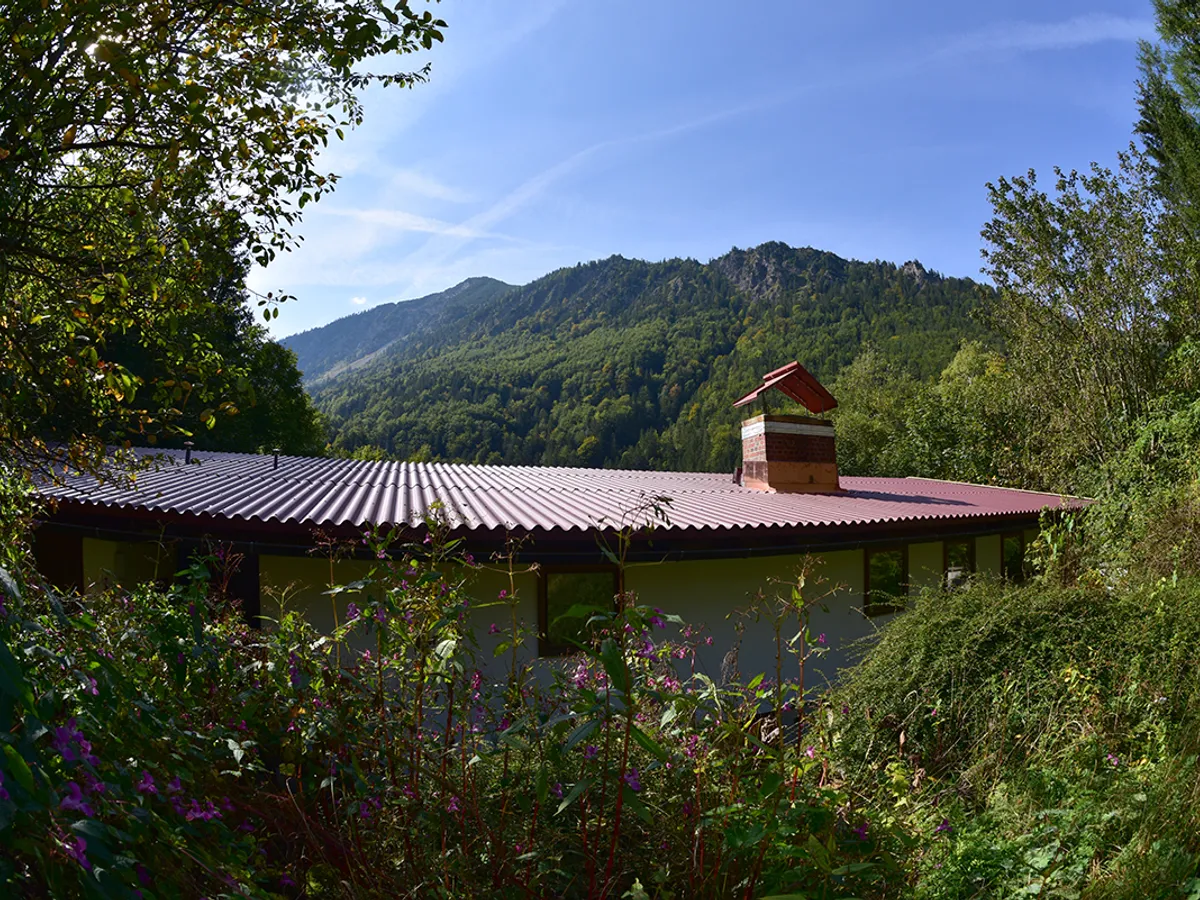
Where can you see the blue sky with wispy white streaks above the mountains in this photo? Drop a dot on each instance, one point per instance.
(554, 133)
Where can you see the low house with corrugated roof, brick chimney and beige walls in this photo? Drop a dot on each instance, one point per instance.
(699, 544)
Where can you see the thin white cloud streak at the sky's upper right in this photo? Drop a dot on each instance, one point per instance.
(1066, 35)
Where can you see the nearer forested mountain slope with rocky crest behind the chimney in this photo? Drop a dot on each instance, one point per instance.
(633, 364)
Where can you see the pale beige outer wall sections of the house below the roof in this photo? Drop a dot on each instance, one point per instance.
(716, 596)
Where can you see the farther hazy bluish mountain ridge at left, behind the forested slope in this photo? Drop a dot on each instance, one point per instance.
(353, 341)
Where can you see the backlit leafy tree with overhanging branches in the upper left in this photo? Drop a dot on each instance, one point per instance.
(143, 146)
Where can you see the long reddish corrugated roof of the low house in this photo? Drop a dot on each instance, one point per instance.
(345, 493)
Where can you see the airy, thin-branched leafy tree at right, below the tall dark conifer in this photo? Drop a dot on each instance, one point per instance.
(1095, 289)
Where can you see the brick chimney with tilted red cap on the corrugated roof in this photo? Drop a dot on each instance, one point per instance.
(790, 454)
